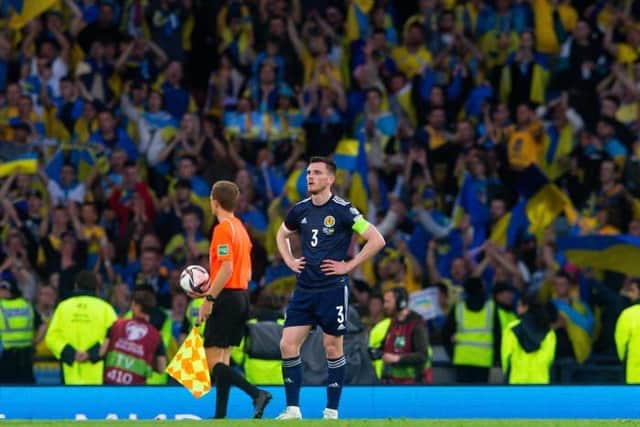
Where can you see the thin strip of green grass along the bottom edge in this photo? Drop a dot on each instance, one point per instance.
(341, 423)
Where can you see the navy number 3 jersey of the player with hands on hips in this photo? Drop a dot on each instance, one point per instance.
(325, 233)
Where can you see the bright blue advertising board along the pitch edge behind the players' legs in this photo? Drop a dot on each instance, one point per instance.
(441, 402)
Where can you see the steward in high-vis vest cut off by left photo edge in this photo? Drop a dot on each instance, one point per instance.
(18, 323)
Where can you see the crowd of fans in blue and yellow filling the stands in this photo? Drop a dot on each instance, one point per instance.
(116, 116)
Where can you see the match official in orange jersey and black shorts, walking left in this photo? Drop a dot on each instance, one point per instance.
(226, 306)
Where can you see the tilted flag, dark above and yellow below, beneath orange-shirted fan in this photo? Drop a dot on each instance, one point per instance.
(545, 201)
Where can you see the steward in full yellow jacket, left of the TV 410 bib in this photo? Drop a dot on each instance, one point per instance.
(77, 330)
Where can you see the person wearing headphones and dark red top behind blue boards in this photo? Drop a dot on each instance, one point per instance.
(403, 356)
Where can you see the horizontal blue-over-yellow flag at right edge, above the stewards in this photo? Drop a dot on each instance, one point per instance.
(606, 252)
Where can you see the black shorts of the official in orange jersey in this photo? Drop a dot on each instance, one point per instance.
(226, 325)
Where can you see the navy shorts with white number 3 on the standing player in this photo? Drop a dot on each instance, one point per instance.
(325, 308)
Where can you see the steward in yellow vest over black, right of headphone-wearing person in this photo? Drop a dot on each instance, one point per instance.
(471, 334)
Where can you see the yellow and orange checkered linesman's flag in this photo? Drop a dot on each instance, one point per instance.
(189, 366)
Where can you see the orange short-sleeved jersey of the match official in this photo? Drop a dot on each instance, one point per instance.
(231, 242)
